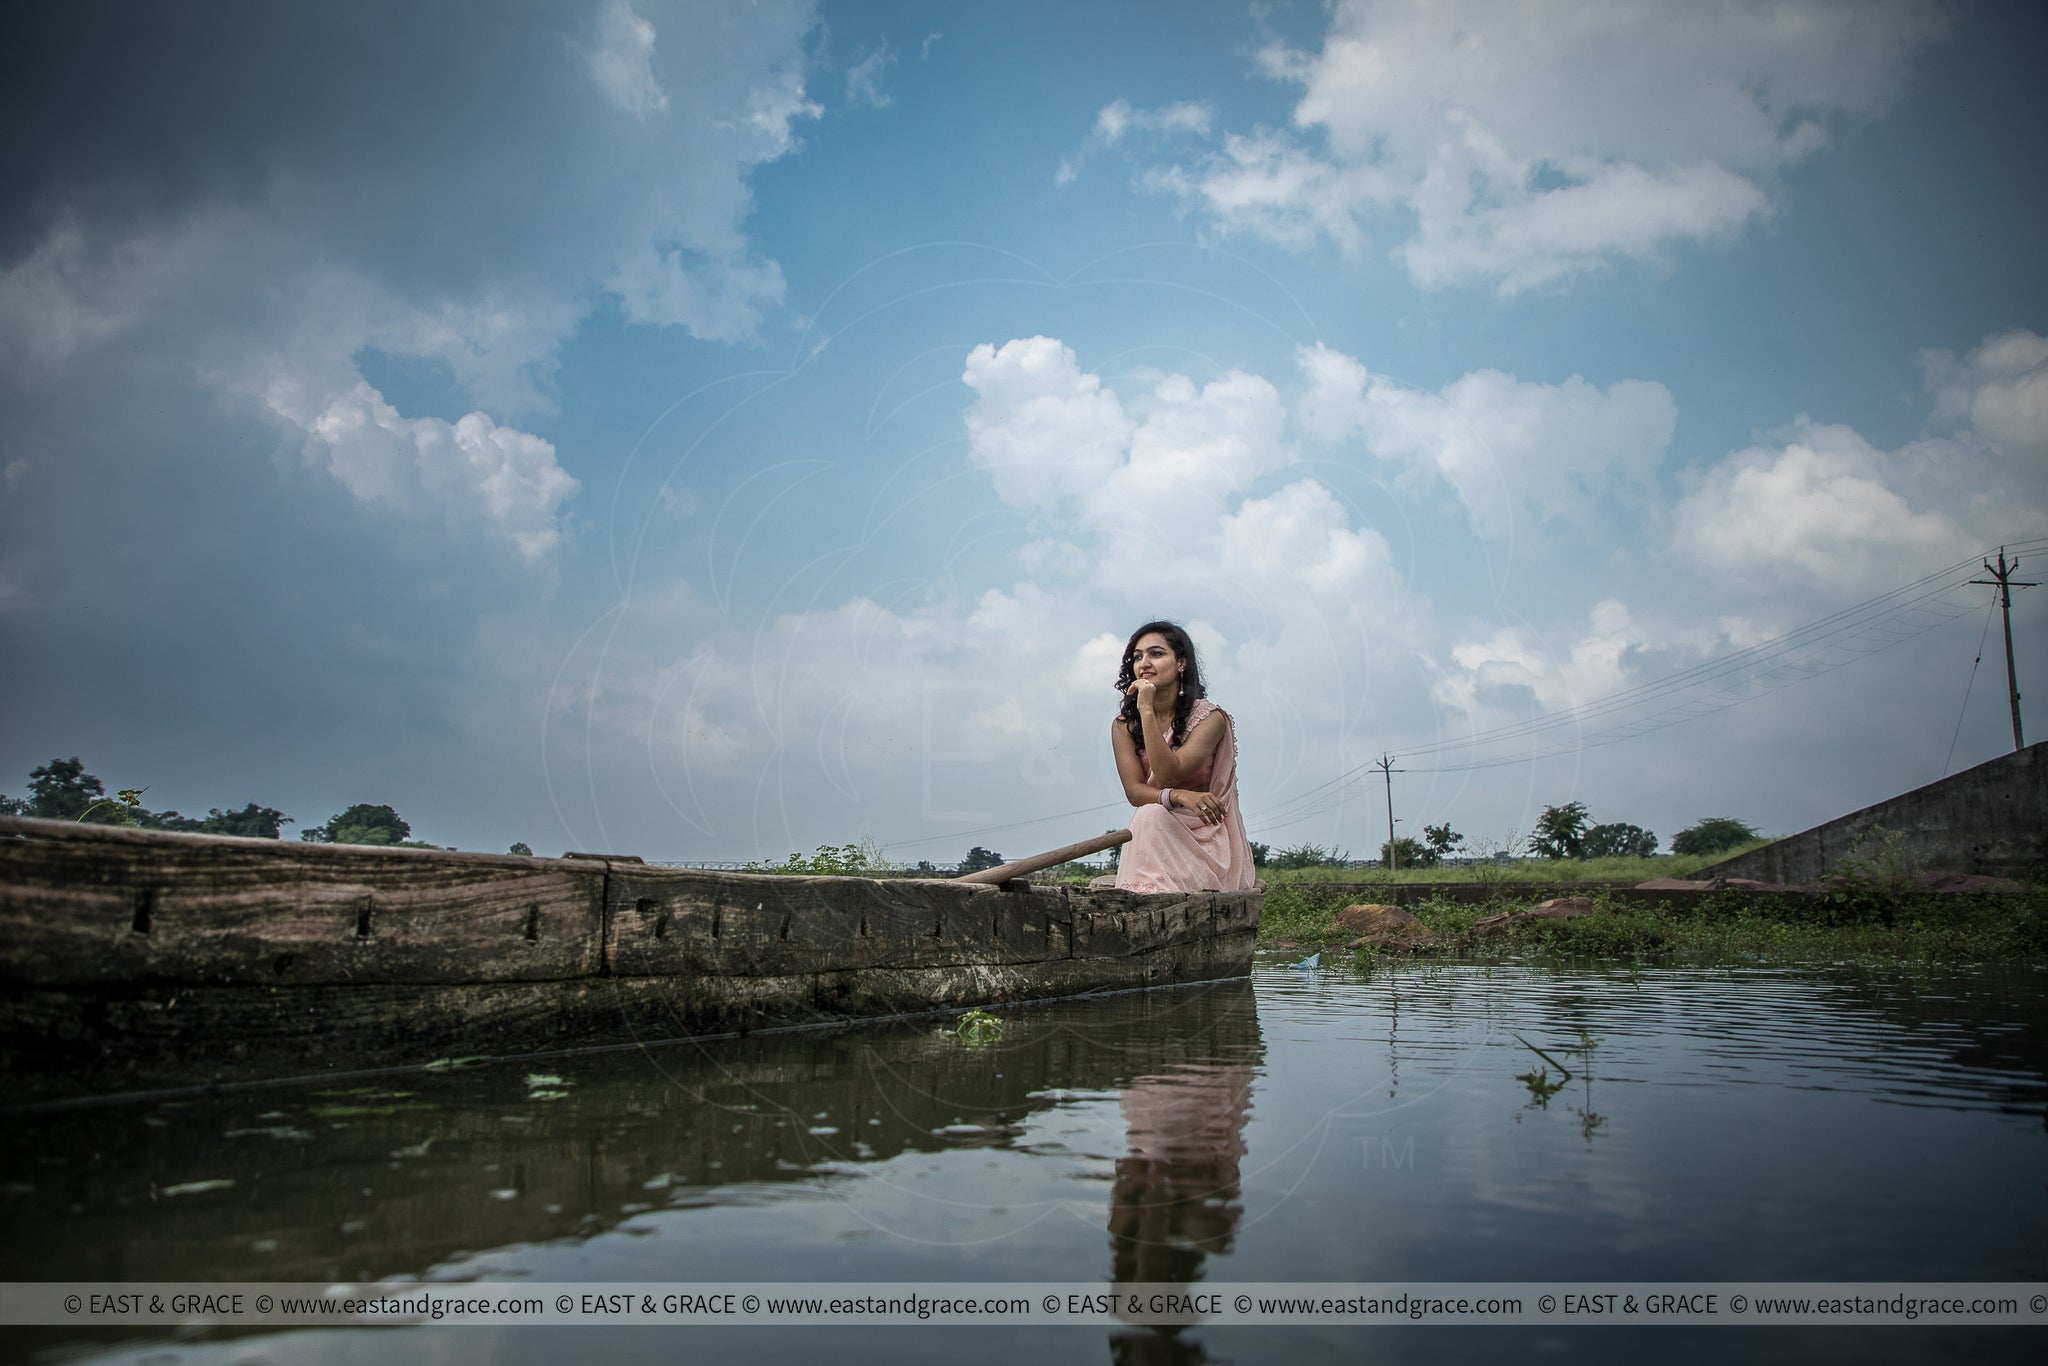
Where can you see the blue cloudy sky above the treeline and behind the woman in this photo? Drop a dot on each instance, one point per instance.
(714, 431)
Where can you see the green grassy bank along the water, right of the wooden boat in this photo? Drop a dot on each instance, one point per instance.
(1707, 929)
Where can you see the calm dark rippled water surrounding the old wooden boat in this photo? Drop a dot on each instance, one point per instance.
(1717, 1125)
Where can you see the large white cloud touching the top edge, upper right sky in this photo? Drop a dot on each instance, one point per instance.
(1525, 144)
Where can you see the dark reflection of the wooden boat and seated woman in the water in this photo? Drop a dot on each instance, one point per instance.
(407, 1172)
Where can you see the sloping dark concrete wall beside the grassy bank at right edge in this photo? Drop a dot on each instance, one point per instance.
(1990, 820)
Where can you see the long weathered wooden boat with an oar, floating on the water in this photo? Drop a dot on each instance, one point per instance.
(146, 959)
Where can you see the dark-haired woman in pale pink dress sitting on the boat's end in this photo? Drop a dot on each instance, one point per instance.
(1179, 761)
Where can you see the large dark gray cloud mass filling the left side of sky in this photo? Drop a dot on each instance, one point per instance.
(222, 550)
